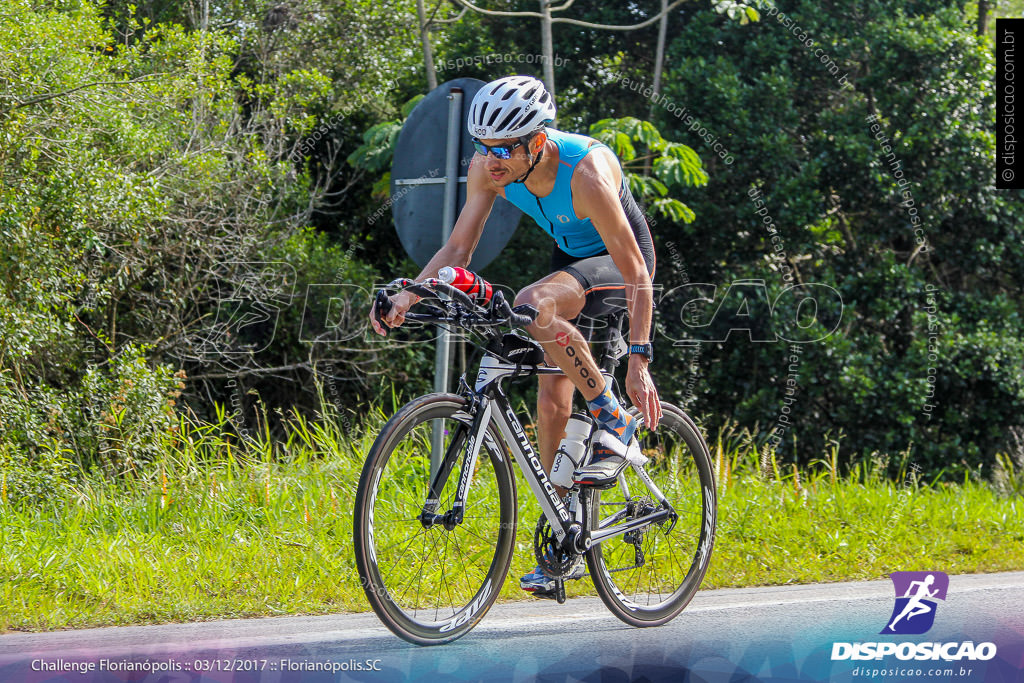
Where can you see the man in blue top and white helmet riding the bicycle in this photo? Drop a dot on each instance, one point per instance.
(603, 262)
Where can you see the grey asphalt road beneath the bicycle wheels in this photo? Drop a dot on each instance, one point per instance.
(763, 634)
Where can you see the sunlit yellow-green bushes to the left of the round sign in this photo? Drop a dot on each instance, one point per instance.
(153, 219)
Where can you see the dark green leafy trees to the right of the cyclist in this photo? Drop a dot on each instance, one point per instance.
(903, 221)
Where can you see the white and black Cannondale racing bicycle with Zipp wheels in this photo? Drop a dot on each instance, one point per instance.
(435, 537)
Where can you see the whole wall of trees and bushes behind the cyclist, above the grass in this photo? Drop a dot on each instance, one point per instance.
(185, 189)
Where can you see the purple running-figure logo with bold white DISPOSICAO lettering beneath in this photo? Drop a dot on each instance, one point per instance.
(914, 614)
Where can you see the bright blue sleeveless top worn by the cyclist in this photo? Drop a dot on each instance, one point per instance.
(554, 214)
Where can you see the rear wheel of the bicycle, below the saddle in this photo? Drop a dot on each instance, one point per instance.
(648, 577)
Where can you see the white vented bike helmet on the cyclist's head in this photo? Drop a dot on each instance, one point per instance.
(510, 107)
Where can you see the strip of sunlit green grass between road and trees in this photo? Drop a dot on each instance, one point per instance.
(222, 529)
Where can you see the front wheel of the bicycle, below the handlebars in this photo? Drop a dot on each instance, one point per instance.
(432, 585)
